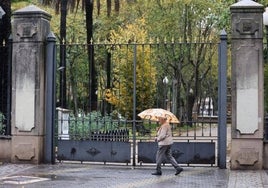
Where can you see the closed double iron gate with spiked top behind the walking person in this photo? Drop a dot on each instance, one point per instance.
(98, 99)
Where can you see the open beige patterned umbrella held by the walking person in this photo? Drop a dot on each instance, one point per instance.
(153, 114)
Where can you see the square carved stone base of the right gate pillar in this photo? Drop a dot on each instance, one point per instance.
(246, 154)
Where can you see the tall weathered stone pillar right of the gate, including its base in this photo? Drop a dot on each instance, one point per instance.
(247, 85)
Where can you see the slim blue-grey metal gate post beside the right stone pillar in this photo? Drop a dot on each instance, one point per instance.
(222, 82)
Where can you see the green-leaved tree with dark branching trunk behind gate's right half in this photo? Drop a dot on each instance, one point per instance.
(196, 27)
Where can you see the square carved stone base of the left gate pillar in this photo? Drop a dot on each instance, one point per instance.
(27, 149)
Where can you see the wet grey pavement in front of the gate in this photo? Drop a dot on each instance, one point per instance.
(69, 175)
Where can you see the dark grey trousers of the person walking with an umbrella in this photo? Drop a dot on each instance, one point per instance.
(162, 153)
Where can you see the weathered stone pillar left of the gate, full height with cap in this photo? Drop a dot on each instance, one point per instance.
(31, 26)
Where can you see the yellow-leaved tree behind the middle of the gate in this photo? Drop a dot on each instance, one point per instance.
(121, 96)
